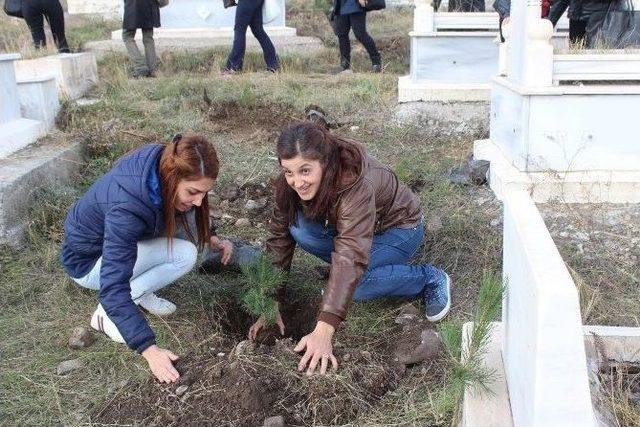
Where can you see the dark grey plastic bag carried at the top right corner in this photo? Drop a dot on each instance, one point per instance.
(616, 28)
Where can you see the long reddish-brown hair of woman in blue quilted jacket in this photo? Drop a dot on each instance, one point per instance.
(188, 157)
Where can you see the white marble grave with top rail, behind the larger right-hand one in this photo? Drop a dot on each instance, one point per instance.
(454, 55)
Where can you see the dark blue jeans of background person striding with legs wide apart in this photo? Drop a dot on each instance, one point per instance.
(249, 14)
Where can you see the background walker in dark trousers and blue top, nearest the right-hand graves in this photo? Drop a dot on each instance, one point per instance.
(350, 14)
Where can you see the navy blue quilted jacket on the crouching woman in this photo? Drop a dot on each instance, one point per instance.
(121, 208)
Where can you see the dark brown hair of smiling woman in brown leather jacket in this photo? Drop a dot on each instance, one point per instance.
(339, 158)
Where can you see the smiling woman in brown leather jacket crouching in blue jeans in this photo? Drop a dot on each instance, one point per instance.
(341, 205)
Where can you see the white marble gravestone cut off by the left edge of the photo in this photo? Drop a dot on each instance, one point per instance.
(16, 132)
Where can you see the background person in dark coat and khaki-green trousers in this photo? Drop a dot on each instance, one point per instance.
(143, 14)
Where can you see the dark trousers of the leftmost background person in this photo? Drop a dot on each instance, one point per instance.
(33, 12)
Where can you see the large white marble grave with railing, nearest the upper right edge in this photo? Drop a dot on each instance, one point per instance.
(549, 134)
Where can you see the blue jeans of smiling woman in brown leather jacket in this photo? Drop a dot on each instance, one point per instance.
(388, 274)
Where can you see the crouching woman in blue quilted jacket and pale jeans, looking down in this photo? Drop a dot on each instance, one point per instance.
(120, 238)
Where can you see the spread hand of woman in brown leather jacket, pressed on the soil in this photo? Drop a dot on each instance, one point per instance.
(319, 349)
